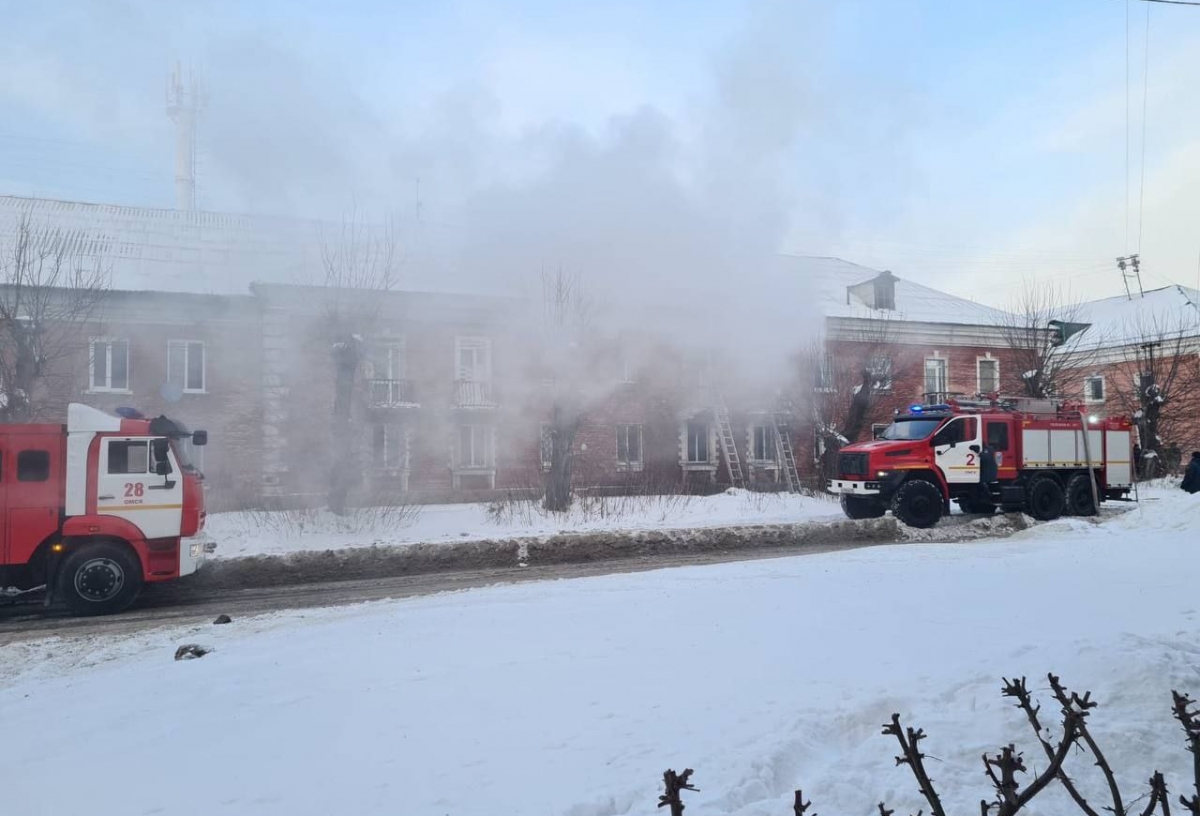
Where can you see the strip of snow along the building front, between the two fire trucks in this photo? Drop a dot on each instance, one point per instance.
(279, 533)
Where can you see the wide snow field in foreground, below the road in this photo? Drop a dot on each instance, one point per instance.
(572, 698)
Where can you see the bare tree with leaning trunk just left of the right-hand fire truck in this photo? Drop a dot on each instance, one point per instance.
(841, 383)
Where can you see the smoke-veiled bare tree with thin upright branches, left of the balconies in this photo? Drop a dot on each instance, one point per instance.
(359, 265)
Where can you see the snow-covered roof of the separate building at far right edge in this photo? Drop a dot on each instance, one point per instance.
(1123, 321)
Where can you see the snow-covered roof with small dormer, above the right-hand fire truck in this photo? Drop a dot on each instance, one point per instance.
(831, 280)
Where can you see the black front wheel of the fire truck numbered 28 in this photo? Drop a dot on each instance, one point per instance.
(100, 578)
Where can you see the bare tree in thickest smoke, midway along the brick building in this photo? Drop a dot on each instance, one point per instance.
(566, 327)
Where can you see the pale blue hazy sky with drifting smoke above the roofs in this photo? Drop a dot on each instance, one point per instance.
(967, 145)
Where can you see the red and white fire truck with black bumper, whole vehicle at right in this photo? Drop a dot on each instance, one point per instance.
(1039, 457)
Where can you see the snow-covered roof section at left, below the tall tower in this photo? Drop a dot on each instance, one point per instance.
(173, 250)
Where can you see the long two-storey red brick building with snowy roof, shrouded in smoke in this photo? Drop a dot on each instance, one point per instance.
(452, 399)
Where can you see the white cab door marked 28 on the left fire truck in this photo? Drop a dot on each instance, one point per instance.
(129, 488)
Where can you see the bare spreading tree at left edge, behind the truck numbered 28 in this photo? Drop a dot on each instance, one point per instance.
(51, 285)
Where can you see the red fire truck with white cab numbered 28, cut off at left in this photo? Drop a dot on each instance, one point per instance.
(99, 507)
